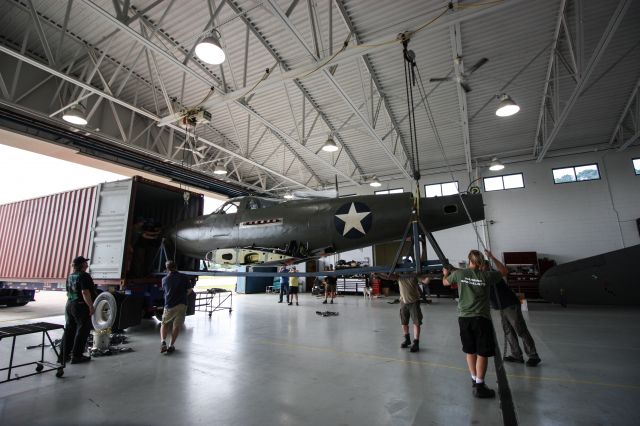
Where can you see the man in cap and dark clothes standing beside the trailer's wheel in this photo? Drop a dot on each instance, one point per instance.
(81, 292)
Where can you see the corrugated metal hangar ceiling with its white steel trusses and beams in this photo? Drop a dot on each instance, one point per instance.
(297, 72)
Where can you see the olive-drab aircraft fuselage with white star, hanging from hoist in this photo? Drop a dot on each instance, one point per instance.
(265, 230)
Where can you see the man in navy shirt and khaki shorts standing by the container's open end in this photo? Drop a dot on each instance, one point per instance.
(176, 287)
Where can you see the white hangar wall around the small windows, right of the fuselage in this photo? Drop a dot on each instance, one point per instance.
(564, 222)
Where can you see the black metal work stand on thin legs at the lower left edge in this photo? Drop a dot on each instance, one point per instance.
(20, 330)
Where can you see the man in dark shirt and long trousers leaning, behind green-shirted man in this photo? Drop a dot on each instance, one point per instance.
(513, 324)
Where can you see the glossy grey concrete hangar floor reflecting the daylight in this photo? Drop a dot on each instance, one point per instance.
(273, 364)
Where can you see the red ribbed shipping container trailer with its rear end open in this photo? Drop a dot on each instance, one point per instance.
(118, 225)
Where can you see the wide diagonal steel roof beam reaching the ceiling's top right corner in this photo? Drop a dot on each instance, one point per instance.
(613, 25)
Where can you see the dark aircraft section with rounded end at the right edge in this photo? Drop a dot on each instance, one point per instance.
(605, 279)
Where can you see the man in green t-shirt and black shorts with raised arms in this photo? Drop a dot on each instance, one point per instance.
(474, 318)
